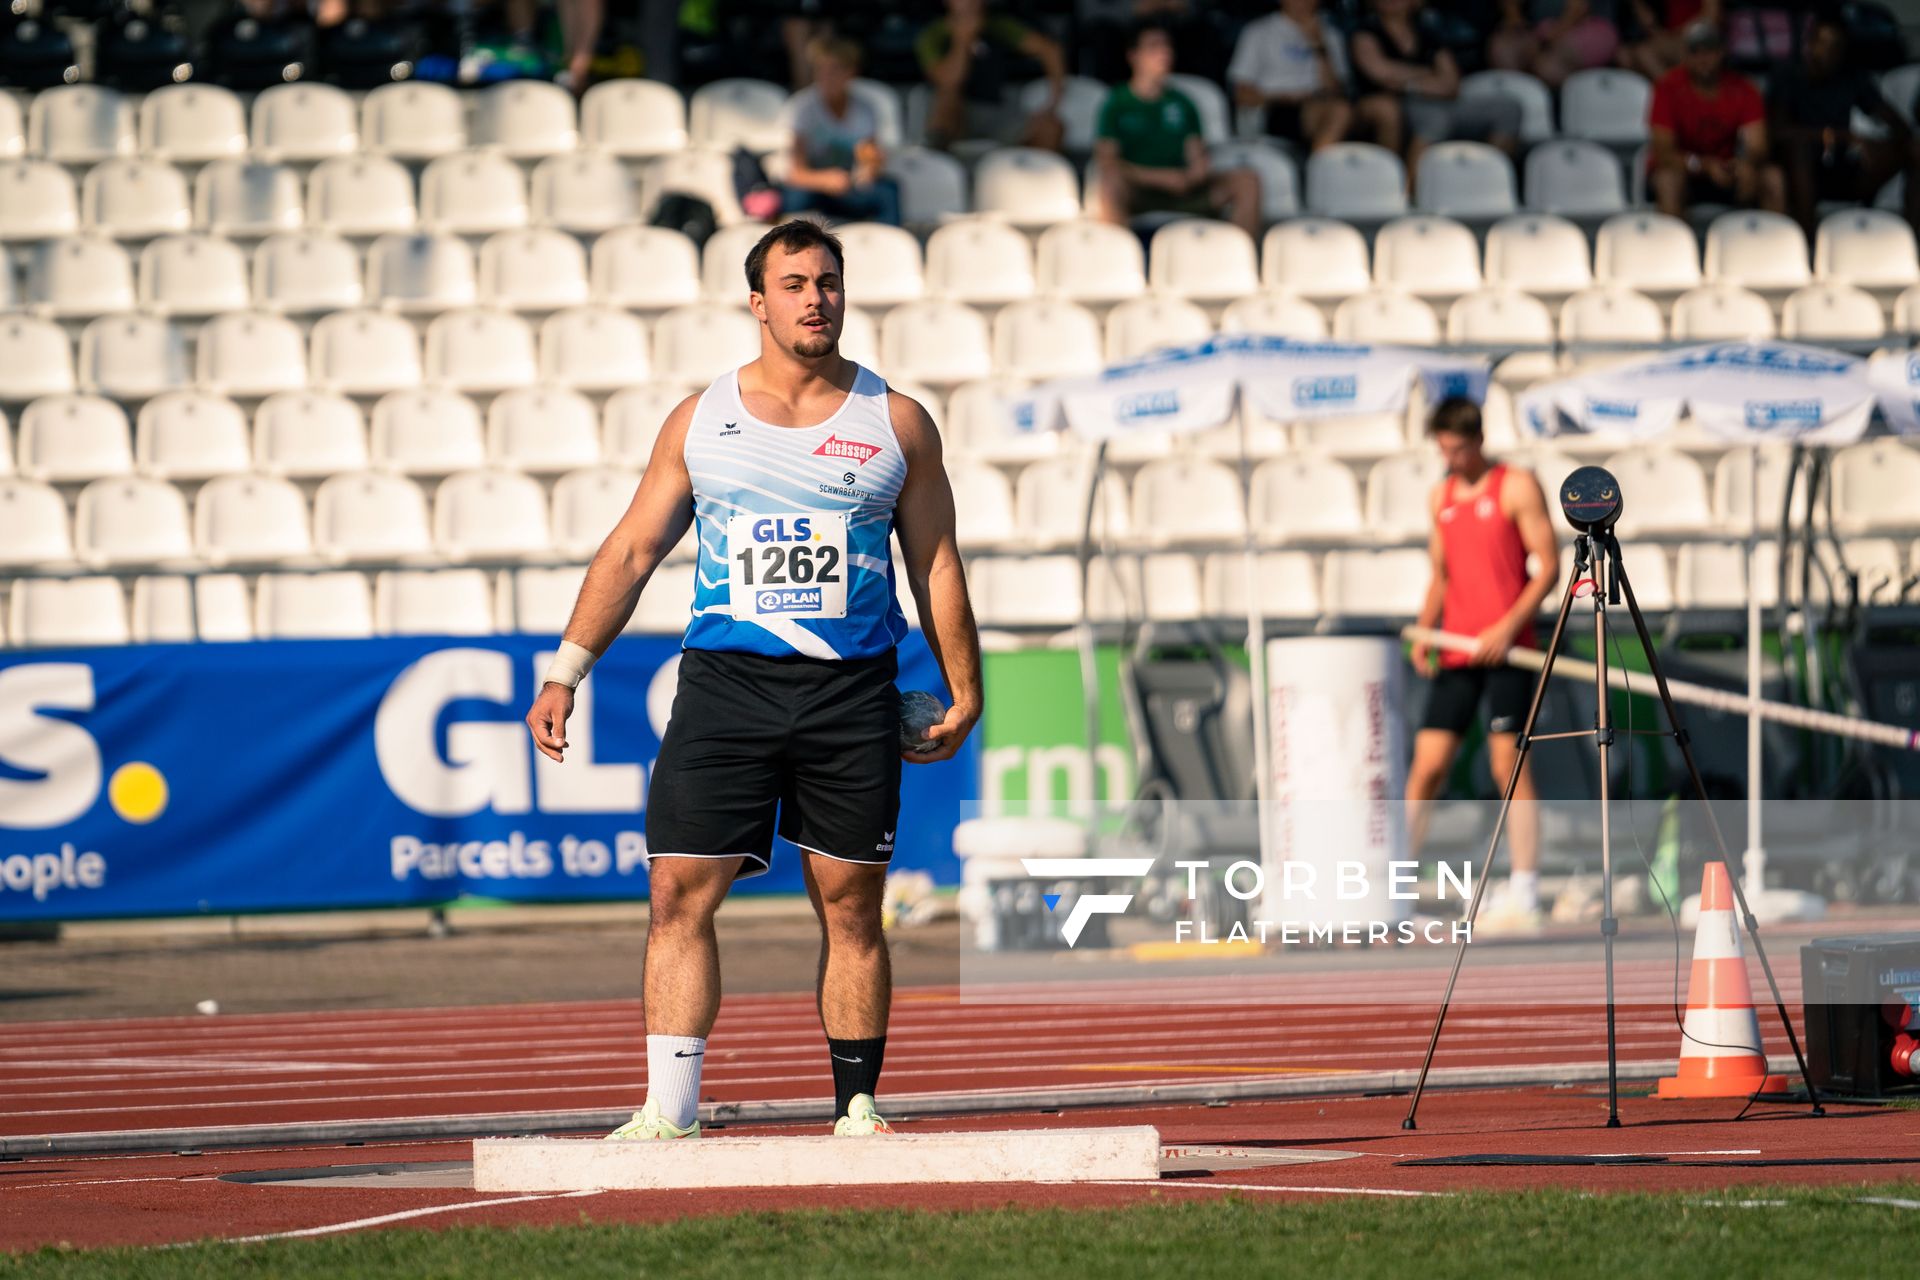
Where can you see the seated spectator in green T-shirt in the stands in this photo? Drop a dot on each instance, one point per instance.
(1151, 153)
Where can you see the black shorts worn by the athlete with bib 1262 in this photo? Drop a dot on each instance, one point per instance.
(815, 740)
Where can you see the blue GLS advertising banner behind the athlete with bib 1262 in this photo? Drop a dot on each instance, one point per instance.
(166, 780)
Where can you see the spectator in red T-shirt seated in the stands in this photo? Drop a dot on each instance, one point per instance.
(1710, 135)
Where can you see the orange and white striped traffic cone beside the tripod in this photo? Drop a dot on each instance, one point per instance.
(1721, 1051)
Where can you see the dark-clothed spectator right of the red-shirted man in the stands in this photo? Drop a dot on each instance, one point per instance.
(1812, 110)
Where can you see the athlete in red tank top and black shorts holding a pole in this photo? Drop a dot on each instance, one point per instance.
(1489, 519)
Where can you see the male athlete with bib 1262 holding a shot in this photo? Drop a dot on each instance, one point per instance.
(794, 469)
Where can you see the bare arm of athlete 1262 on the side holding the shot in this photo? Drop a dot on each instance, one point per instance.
(924, 519)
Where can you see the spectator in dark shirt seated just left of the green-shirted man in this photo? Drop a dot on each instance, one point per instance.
(969, 57)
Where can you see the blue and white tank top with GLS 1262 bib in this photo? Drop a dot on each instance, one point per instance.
(794, 527)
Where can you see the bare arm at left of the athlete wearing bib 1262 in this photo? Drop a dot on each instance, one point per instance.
(658, 519)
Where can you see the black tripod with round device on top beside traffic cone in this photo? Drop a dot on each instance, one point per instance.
(1596, 563)
